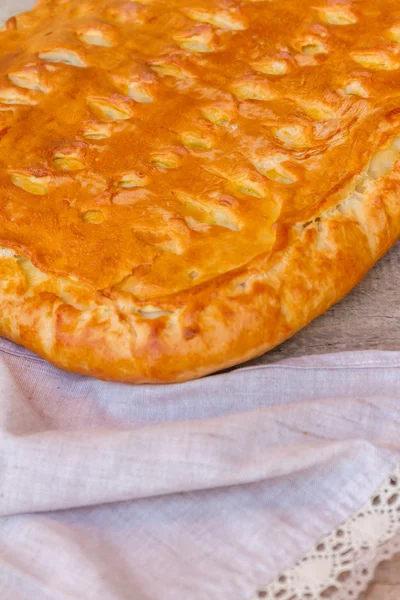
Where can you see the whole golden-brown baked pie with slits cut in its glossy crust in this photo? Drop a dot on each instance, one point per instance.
(187, 183)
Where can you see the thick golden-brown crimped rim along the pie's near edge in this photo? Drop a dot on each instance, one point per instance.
(270, 319)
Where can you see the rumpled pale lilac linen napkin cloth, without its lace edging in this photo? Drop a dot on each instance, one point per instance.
(204, 490)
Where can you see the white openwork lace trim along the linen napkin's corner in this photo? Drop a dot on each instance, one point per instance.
(343, 563)
